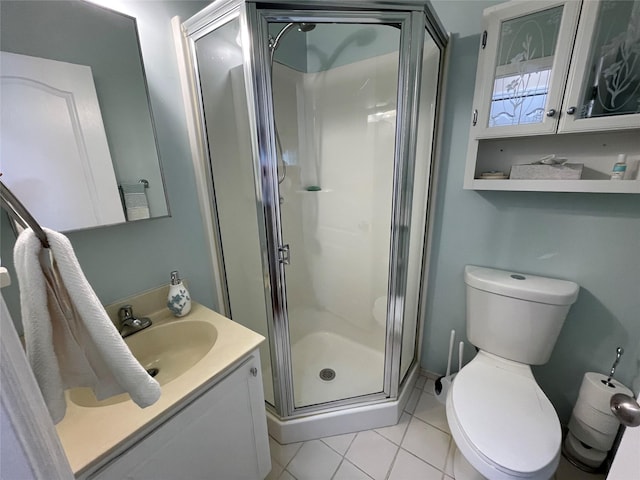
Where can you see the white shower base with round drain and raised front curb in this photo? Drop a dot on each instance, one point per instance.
(326, 341)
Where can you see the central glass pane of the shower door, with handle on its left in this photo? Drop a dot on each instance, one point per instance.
(335, 90)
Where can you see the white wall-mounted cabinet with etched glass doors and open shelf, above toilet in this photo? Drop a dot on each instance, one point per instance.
(561, 78)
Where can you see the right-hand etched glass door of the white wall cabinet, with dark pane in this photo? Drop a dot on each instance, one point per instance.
(603, 91)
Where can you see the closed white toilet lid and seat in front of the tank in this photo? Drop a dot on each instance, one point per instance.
(501, 420)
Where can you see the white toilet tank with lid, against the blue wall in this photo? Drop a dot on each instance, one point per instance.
(516, 316)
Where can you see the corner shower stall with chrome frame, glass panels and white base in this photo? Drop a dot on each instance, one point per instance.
(317, 124)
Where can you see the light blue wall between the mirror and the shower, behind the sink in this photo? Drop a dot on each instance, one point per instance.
(125, 259)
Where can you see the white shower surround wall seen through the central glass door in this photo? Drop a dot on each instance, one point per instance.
(337, 131)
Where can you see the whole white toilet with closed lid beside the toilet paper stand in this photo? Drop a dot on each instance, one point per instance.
(504, 426)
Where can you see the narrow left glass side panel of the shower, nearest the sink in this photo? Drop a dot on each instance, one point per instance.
(222, 90)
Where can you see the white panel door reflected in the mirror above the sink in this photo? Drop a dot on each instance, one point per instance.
(54, 148)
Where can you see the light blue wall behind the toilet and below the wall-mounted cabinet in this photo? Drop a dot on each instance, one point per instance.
(592, 239)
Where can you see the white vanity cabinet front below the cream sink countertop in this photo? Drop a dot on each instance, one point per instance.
(222, 434)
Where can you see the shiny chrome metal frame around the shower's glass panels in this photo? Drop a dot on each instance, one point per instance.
(415, 20)
